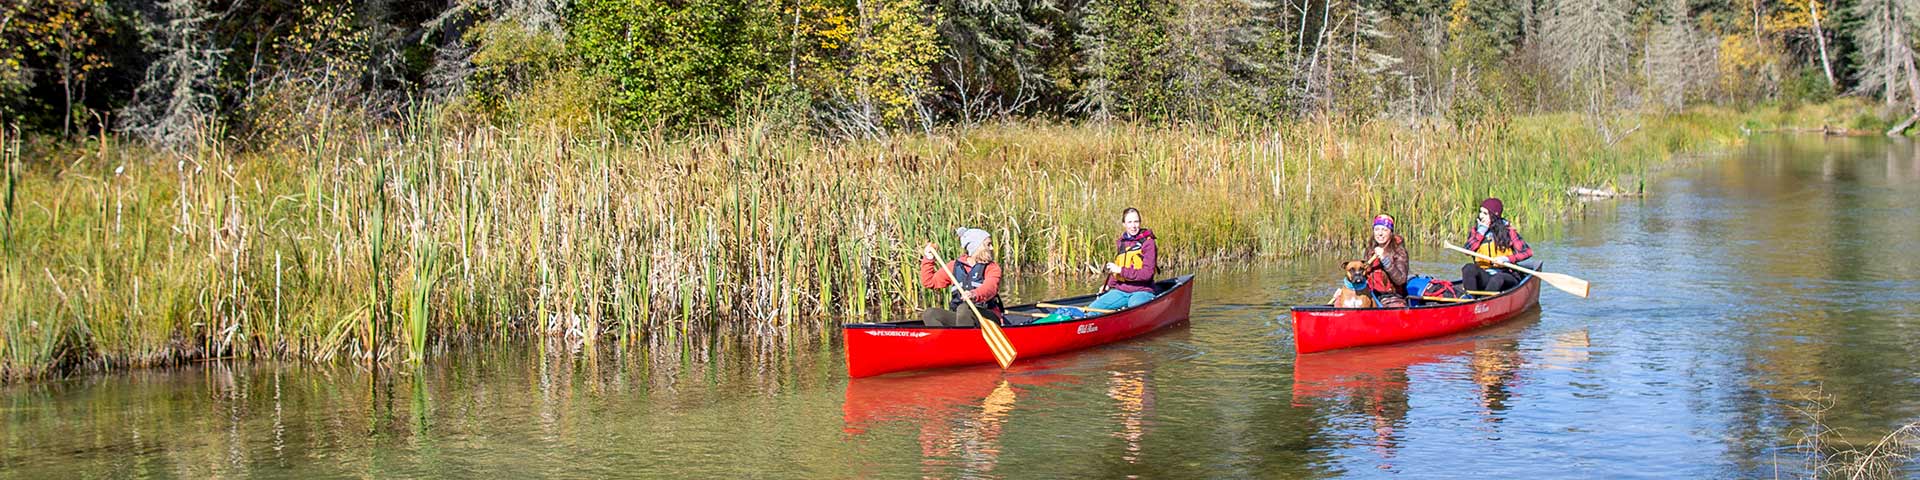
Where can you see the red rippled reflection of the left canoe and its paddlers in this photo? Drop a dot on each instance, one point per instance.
(961, 414)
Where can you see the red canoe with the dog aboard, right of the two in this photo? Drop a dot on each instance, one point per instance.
(1322, 327)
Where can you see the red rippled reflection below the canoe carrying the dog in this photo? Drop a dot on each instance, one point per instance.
(1374, 381)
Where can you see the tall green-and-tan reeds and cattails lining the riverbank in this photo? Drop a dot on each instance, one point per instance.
(387, 243)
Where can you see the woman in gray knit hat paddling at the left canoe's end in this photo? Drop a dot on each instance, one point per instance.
(980, 281)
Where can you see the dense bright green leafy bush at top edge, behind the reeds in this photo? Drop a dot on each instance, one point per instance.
(677, 64)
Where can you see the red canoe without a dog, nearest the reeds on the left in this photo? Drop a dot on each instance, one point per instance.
(880, 348)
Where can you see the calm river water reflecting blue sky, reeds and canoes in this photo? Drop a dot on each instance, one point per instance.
(1752, 300)
